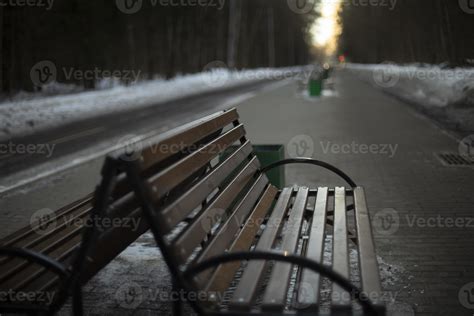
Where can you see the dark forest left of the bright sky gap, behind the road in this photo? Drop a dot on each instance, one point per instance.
(157, 40)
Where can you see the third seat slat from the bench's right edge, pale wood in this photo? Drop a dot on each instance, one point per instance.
(308, 292)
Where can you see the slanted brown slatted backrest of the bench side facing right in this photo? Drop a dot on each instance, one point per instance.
(203, 175)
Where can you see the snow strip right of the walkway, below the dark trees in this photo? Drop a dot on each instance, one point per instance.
(445, 94)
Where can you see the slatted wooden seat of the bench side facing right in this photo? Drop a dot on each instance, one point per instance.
(294, 221)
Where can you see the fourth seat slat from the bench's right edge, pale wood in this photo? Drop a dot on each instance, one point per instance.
(277, 288)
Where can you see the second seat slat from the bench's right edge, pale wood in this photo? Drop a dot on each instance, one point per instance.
(341, 301)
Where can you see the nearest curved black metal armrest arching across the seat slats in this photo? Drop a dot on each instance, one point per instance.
(317, 267)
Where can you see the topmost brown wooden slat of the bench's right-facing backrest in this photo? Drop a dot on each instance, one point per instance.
(202, 128)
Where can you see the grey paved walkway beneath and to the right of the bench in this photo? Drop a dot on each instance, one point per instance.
(422, 210)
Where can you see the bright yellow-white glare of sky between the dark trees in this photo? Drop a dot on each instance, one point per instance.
(326, 28)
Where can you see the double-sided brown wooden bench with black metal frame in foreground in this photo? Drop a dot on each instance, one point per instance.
(209, 213)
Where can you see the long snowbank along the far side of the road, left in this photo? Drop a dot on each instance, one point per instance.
(24, 116)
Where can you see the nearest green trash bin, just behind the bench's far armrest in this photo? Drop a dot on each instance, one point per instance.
(268, 154)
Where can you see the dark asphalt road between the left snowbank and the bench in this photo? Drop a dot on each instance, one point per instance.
(36, 157)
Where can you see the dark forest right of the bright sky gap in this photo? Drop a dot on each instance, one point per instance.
(430, 31)
